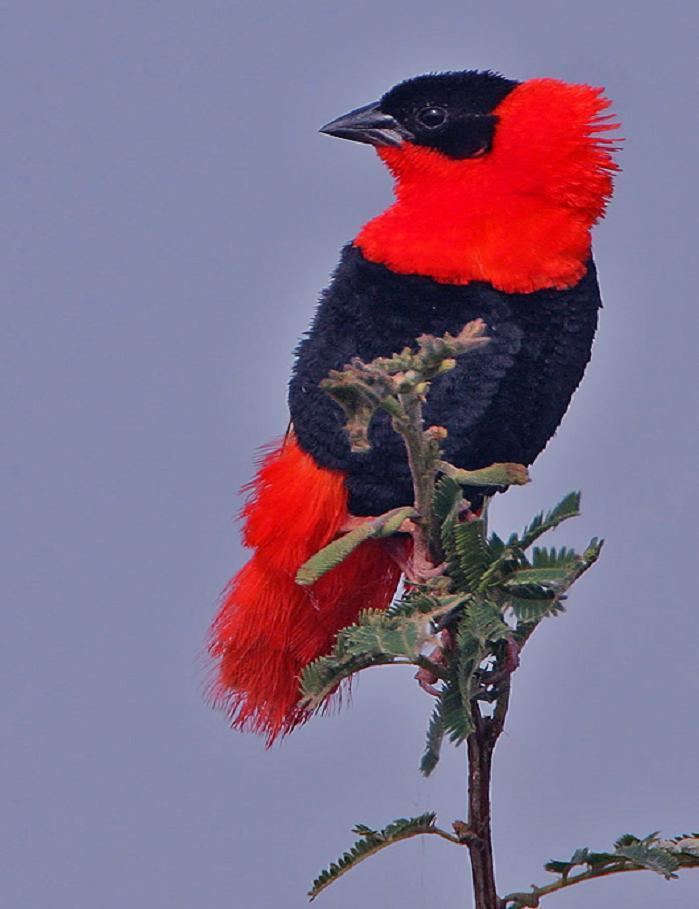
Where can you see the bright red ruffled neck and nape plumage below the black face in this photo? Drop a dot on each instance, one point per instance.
(519, 217)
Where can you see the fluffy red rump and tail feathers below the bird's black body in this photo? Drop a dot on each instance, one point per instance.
(269, 628)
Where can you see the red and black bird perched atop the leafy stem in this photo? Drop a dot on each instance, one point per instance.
(497, 185)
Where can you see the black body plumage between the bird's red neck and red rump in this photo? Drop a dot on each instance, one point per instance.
(502, 403)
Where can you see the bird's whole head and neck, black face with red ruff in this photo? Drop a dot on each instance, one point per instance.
(479, 159)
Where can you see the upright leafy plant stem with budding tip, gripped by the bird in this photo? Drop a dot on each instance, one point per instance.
(478, 598)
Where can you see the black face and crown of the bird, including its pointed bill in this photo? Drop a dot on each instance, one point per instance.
(450, 112)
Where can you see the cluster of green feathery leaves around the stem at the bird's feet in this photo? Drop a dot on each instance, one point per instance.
(490, 596)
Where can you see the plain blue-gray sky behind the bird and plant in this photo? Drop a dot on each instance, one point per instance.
(169, 216)
